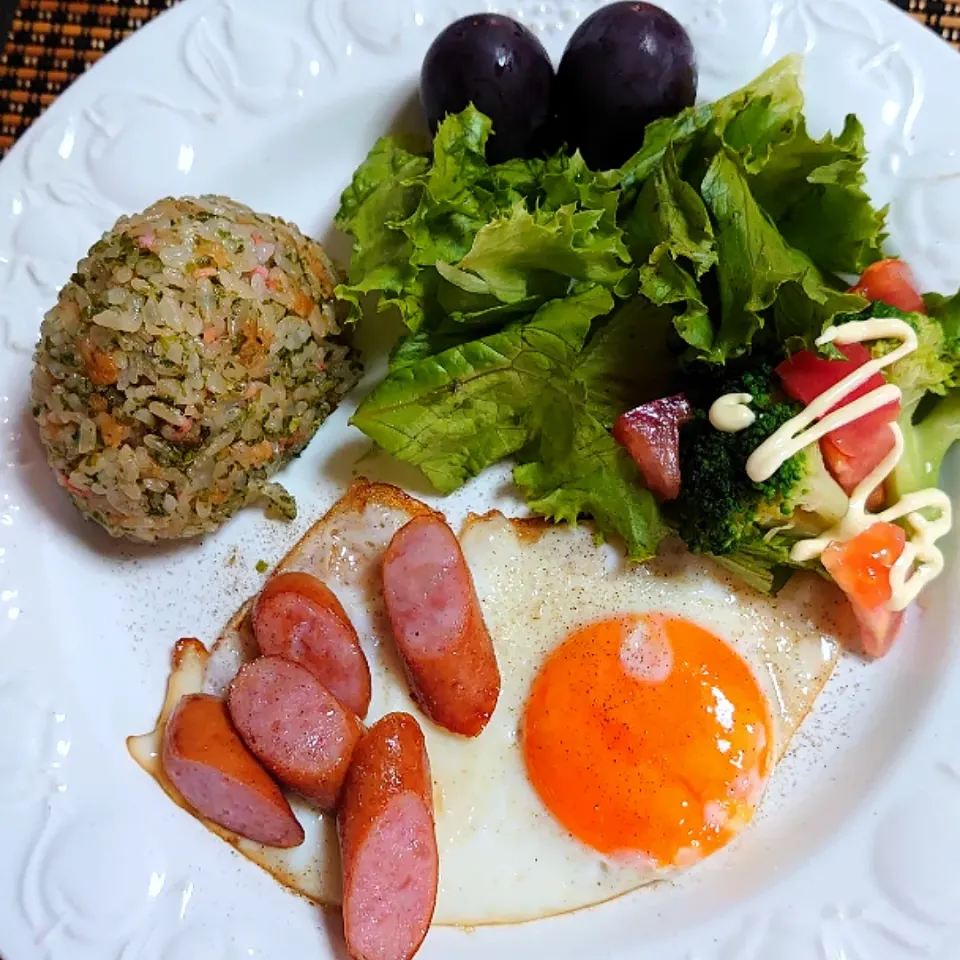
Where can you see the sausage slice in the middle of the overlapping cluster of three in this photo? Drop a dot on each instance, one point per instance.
(295, 727)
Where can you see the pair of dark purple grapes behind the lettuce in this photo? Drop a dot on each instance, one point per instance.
(626, 65)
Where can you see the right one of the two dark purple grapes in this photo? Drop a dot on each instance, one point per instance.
(627, 64)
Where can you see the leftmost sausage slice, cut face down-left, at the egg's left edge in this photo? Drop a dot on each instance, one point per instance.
(207, 762)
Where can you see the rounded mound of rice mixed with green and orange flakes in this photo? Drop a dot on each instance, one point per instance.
(193, 354)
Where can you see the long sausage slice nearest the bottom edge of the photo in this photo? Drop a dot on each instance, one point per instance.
(388, 844)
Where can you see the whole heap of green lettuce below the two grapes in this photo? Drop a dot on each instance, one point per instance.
(543, 299)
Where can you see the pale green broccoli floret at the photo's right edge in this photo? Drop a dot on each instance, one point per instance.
(930, 381)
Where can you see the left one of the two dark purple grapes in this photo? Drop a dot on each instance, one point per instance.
(501, 68)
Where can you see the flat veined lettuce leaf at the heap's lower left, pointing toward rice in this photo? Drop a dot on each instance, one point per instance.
(457, 412)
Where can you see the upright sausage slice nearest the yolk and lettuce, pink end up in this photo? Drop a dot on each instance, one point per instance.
(436, 619)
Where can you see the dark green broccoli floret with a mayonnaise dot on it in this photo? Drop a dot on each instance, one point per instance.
(721, 511)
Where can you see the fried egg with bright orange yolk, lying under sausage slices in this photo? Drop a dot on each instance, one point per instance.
(643, 709)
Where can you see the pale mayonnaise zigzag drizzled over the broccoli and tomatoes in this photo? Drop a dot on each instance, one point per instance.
(921, 560)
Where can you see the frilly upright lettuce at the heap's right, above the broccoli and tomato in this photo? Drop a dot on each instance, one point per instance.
(738, 220)
